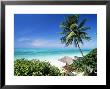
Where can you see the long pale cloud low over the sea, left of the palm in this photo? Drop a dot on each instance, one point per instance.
(29, 42)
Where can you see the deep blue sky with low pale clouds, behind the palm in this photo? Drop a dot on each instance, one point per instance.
(43, 30)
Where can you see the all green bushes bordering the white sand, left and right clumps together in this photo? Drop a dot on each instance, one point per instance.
(25, 67)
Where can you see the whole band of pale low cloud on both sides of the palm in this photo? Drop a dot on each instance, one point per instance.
(34, 43)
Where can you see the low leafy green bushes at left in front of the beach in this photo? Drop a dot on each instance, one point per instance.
(23, 67)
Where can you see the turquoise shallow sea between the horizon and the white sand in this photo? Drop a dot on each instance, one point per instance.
(47, 53)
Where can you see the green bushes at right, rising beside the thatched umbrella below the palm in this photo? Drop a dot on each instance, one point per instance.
(87, 64)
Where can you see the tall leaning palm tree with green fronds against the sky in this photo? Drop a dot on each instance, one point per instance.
(74, 31)
